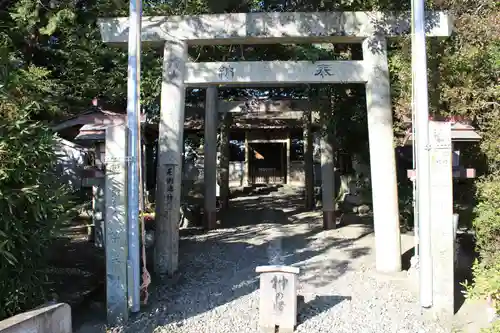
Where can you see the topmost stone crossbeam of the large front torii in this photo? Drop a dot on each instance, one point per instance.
(262, 28)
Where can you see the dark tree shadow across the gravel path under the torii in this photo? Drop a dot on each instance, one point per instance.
(218, 267)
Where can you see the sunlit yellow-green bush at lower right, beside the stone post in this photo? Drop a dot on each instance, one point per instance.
(487, 227)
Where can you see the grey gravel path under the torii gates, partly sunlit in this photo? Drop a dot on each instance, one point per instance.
(217, 289)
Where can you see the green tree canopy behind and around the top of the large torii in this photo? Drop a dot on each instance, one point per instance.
(53, 62)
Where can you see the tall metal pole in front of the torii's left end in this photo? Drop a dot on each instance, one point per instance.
(133, 149)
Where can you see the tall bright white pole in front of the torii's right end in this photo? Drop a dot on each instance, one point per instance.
(419, 68)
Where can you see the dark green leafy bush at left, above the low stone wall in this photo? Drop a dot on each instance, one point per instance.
(32, 206)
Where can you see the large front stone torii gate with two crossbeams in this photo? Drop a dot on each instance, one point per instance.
(370, 29)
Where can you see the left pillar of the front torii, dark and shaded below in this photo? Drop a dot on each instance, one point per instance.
(170, 147)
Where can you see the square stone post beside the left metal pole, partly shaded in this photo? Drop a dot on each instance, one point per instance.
(116, 225)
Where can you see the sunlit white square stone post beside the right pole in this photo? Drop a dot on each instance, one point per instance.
(442, 230)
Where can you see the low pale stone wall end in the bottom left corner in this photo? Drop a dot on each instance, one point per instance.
(54, 318)
